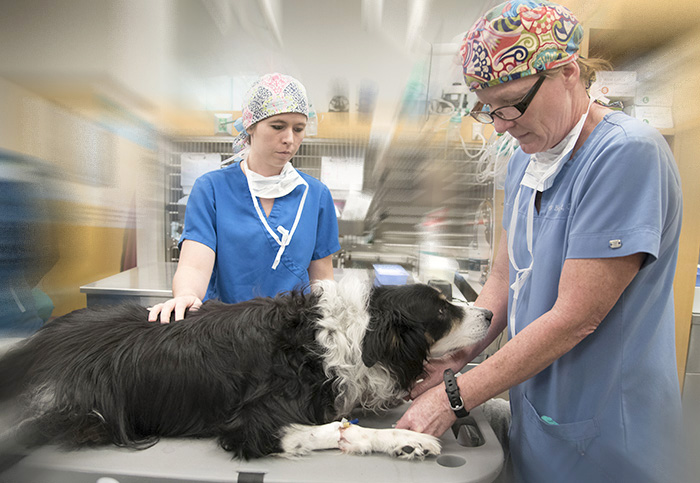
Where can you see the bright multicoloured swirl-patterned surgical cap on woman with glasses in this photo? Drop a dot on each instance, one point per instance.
(517, 39)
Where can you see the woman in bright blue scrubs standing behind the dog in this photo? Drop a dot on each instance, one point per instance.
(257, 227)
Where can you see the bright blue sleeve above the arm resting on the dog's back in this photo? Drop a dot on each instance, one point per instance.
(200, 214)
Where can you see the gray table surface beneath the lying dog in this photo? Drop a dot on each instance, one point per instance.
(202, 460)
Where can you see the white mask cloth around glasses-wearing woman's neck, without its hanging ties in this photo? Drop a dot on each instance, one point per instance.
(546, 165)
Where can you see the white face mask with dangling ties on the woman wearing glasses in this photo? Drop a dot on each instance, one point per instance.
(539, 176)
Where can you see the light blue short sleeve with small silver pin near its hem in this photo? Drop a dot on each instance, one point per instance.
(619, 206)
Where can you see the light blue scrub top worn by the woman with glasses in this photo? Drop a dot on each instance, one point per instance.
(607, 410)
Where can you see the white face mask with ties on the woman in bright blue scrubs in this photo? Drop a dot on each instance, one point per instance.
(281, 185)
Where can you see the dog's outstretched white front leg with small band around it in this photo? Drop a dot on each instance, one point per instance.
(300, 439)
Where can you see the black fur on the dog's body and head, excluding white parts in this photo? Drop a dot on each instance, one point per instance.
(238, 372)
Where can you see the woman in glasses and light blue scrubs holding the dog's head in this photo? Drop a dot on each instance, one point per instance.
(583, 278)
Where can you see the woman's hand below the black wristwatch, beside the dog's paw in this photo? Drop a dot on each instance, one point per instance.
(430, 413)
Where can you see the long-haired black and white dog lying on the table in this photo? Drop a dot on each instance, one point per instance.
(266, 376)
